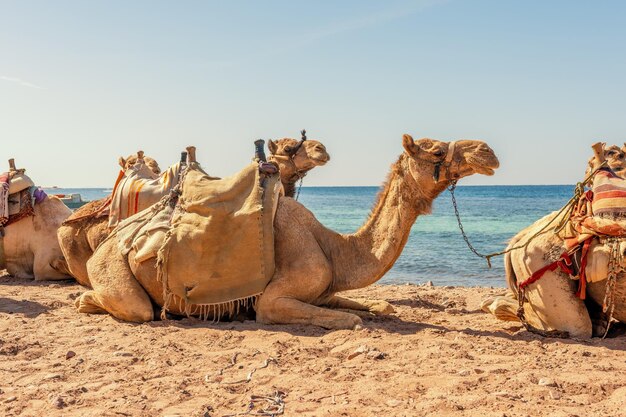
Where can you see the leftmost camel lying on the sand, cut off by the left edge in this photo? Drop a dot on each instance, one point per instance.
(30, 246)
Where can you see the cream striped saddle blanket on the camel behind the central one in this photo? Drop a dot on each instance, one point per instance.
(138, 188)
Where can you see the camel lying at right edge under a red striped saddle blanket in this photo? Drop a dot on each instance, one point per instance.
(552, 305)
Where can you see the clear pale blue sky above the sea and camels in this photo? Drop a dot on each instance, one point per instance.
(84, 82)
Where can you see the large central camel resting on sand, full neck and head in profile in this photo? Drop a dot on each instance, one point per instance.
(312, 263)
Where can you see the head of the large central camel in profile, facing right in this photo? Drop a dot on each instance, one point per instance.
(434, 164)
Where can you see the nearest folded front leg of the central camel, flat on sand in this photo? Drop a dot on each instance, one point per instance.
(283, 310)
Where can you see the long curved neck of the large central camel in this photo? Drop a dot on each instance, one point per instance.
(374, 248)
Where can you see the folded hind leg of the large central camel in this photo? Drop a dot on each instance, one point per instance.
(116, 290)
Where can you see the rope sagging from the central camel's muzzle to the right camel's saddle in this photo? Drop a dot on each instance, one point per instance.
(568, 208)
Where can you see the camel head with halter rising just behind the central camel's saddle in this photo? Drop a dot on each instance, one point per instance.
(295, 159)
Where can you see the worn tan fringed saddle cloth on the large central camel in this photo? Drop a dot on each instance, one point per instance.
(218, 247)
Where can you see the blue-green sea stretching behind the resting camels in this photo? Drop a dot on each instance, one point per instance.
(435, 250)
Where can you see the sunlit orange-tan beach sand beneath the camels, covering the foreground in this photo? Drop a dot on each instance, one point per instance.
(437, 355)
